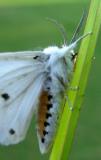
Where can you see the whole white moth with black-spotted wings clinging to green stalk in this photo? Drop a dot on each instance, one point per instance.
(33, 82)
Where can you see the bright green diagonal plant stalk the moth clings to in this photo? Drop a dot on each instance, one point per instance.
(68, 123)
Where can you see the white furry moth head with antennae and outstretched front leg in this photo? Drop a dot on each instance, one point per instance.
(67, 49)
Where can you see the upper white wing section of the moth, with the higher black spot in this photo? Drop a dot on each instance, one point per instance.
(15, 75)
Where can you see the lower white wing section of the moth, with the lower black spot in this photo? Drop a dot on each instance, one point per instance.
(15, 118)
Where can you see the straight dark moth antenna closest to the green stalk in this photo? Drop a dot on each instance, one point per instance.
(79, 26)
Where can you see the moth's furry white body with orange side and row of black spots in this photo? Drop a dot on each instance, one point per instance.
(52, 93)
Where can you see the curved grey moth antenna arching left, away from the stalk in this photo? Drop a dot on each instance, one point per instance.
(61, 29)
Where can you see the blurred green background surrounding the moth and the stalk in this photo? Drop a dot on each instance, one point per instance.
(23, 27)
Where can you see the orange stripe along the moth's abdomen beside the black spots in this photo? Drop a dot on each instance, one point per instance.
(42, 112)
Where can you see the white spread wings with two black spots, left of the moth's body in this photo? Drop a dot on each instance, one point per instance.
(21, 82)
